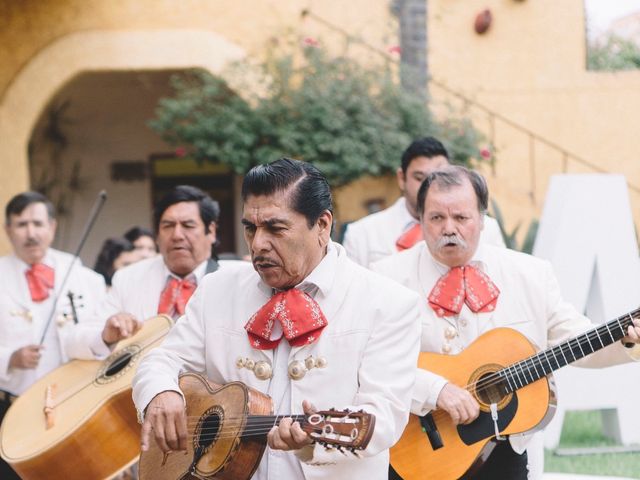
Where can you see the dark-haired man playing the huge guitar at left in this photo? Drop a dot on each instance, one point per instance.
(185, 225)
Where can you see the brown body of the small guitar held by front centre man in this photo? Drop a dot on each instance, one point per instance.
(217, 448)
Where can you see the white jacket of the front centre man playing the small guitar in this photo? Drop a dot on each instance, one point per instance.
(369, 351)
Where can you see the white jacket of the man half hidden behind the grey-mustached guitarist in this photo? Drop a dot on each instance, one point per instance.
(374, 237)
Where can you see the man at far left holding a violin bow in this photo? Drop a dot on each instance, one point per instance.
(32, 296)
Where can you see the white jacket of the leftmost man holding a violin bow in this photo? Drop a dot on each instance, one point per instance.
(22, 322)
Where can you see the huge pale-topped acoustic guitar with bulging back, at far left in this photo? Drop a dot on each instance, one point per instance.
(78, 421)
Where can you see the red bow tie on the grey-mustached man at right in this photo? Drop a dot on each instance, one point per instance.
(463, 285)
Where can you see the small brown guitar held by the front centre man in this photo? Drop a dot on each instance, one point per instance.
(228, 426)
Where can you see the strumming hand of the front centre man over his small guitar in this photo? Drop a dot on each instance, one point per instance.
(165, 416)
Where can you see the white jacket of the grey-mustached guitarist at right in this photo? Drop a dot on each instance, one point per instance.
(530, 302)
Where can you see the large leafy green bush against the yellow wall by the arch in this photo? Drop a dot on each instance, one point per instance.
(347, 119)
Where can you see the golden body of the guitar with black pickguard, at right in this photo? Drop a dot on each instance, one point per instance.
(465, 449)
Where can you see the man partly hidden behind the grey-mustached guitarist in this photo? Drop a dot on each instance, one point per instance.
(397, 228)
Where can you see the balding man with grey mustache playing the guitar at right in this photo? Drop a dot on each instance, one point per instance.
(468, 288)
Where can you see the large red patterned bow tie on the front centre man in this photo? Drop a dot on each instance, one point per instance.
(299, 315)
